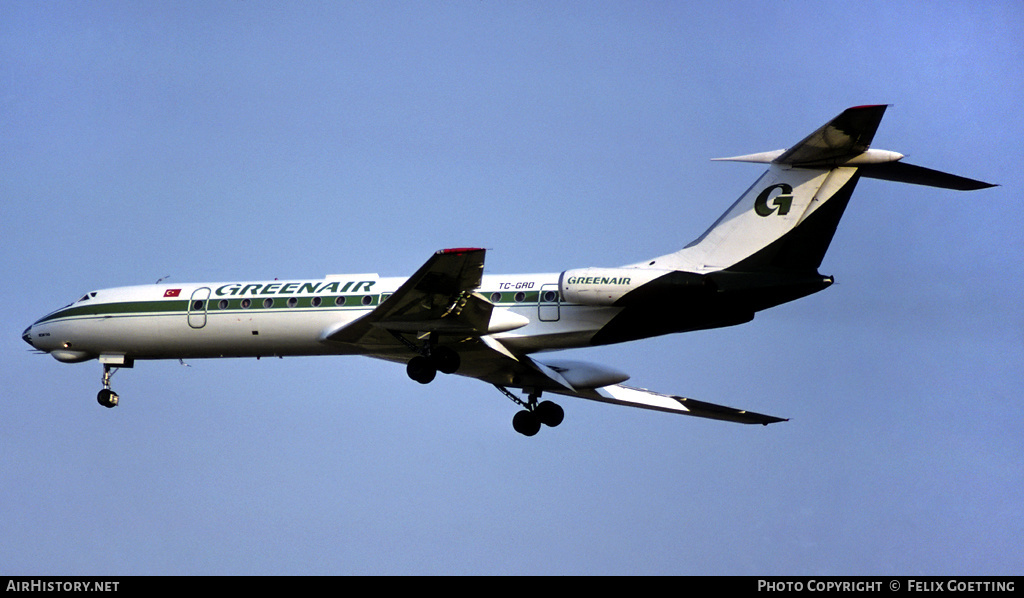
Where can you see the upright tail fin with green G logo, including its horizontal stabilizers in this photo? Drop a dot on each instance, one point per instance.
(787, 220)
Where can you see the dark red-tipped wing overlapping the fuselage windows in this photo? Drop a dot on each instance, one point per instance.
(438, 298)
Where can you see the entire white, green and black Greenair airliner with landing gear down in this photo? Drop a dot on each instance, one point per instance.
(451, 318)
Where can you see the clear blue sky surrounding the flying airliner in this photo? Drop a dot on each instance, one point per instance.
(249, 141)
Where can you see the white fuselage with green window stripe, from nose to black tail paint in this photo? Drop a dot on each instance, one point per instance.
(283, 318)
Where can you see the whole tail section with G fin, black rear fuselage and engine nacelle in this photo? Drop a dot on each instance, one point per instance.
(767, 247)
